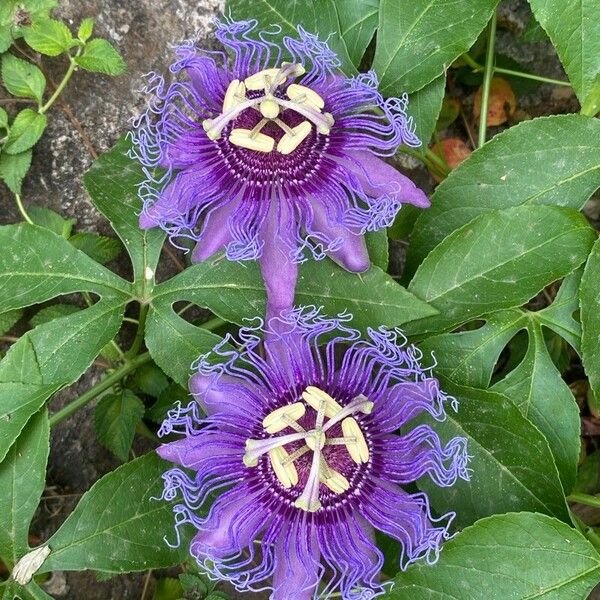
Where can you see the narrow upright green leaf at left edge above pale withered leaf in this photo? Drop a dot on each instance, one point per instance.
(22, 480)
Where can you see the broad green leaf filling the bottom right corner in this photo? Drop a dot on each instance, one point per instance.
(512, 557)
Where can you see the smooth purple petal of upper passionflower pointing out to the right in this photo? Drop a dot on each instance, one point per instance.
(378, 179)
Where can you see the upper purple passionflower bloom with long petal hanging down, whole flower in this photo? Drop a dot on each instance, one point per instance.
(271, 159)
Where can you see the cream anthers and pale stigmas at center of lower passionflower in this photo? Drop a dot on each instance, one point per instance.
(328, 414)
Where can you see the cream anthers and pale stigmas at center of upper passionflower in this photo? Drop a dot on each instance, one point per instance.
(265, 99)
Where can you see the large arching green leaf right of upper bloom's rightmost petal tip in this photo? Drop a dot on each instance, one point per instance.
(551, 160)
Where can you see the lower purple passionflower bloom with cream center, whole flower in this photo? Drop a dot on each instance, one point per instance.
(300, 458)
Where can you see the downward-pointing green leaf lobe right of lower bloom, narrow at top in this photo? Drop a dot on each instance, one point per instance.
(539, 391)
